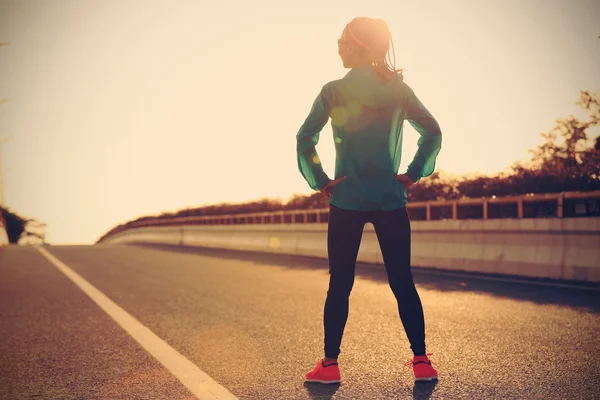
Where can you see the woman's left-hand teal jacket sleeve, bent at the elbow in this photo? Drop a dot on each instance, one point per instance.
(307, 138)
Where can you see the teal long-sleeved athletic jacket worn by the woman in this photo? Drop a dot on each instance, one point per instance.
(367, 117)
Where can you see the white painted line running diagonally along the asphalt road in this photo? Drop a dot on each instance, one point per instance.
(196, 380)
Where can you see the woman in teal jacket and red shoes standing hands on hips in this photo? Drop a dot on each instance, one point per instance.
(367, 108)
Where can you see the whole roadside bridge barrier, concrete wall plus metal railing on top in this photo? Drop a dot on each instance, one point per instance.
(535, 236)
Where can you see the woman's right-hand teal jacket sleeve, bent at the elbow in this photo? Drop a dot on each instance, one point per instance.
(430, 142)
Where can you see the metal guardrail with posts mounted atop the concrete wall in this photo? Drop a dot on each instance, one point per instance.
(560, 205)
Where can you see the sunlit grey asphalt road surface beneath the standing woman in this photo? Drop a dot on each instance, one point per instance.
(254, 324)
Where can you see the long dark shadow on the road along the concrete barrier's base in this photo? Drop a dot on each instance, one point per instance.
(519, 288)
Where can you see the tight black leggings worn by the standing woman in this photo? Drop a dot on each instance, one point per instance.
(344, 235)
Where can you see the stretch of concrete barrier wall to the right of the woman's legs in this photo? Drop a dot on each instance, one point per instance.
(549, 248)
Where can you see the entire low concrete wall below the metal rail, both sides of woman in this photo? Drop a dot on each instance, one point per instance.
(565, 249)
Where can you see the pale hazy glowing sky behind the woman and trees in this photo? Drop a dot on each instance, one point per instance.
(123, 108)
